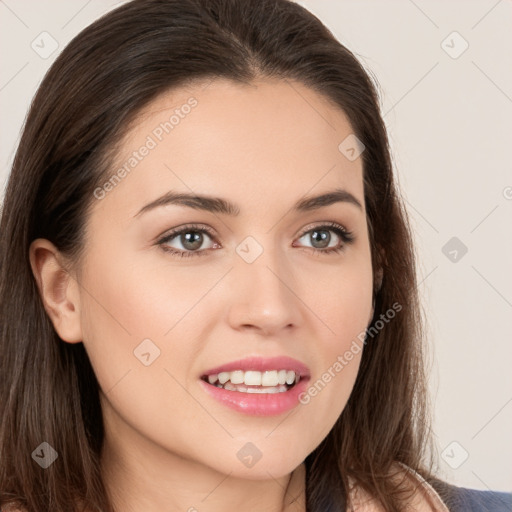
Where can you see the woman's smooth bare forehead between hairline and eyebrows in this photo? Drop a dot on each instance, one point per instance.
(257, 144)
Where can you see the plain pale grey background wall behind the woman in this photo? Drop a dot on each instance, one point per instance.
(449, 115)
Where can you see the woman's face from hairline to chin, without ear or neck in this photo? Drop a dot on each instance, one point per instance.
(158, 313)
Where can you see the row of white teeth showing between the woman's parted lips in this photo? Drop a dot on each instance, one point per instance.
(269, 378)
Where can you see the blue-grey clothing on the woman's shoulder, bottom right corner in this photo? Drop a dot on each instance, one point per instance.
(461, 499)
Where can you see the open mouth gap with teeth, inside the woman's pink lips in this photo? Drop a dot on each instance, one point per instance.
(252, 381)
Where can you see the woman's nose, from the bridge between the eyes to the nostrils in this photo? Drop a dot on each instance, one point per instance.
(265, 296)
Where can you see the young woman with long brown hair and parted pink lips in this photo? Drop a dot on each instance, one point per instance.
(207, 277)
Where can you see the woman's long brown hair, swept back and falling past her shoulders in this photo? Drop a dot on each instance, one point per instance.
(96, 86)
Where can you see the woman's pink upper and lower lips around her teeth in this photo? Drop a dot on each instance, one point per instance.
(257, 404)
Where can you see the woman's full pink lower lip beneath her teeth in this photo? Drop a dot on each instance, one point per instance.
(258, 404)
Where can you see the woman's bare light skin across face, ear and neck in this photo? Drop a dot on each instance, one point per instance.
(168, 445)
